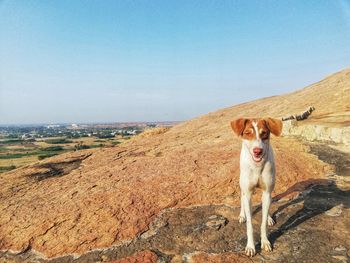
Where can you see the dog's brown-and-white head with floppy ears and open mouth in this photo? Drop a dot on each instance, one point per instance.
(255, 134)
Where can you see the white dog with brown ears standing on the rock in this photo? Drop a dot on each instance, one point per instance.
(257, 169)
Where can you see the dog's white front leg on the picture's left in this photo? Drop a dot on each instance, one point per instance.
(250, 248)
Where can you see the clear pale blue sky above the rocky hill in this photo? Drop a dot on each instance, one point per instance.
(157, 60)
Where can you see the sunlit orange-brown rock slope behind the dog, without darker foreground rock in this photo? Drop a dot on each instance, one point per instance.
(91, 199)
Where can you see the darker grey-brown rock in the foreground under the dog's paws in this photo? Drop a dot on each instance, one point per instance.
(189, 235)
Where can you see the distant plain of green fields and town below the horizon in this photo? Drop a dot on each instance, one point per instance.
(24, 144)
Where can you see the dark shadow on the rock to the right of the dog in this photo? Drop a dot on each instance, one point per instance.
(318, 195)
